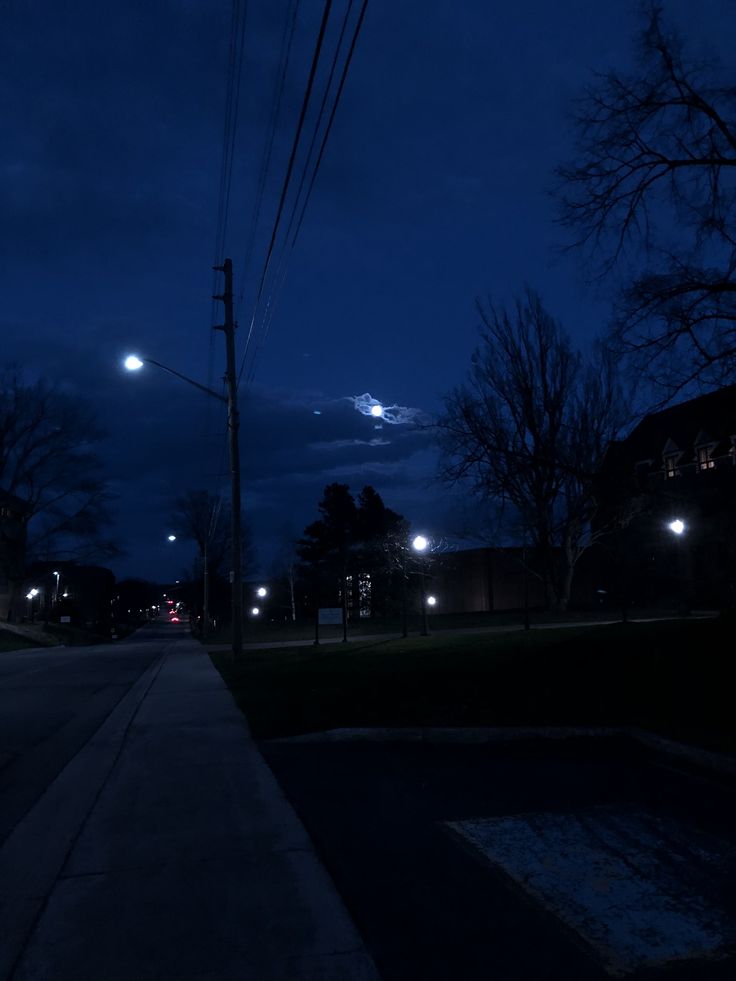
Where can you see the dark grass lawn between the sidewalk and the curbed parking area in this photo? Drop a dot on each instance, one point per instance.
(670, 677)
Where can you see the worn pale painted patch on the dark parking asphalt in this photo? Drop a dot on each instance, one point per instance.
(640, 889)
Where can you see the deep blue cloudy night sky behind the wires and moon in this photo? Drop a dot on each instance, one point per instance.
(433, 191)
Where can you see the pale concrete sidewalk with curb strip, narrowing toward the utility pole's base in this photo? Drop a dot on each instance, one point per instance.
(166, 850)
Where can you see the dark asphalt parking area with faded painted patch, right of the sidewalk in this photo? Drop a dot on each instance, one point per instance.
(635, 861)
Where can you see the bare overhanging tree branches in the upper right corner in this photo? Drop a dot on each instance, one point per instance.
(652, 196)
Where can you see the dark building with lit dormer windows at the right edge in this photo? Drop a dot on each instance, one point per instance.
(676, 465)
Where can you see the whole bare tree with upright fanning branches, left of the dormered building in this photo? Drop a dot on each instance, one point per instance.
(529, 429)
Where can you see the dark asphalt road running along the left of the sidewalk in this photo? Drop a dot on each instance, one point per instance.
(52, 701)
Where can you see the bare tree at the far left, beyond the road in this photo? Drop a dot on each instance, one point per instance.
(47, 460)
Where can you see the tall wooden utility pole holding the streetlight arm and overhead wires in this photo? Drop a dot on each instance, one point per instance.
(236, 573)
